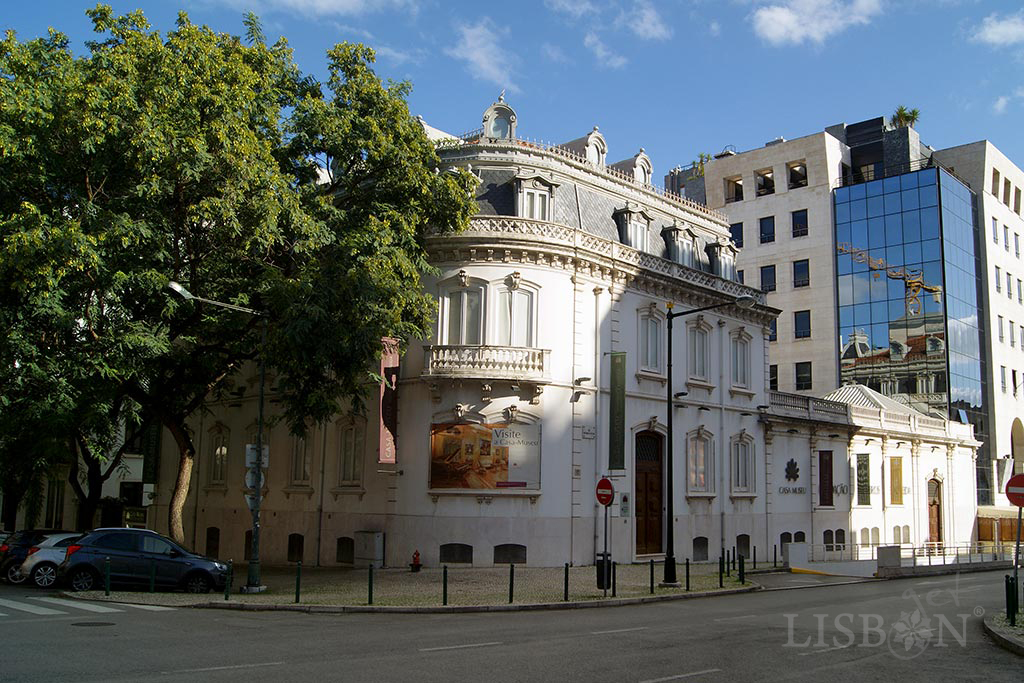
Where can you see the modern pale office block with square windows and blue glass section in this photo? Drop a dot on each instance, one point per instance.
(888, 261)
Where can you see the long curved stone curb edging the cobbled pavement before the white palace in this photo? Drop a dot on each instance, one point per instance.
(442, 610)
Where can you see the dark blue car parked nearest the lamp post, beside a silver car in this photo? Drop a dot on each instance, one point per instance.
(136, 556)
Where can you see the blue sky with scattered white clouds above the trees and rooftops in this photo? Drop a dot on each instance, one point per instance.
(675, 77)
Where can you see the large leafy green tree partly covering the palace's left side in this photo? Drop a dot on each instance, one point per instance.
(201, 158)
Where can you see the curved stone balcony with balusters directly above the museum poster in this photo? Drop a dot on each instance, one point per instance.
(488, 363)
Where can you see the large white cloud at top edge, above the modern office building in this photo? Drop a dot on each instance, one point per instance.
(797, 22)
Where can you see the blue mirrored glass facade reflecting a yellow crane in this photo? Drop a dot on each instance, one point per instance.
(909, 296)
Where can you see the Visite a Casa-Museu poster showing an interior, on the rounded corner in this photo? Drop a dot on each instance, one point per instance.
(483, 457)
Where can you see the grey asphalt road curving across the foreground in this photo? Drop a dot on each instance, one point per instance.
(928, 629)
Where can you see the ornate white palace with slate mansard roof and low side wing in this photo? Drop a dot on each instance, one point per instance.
(548, 370)
